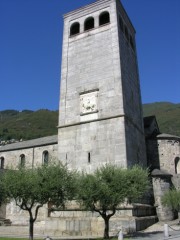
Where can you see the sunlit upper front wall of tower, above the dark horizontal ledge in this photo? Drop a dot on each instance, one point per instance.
(90, 61)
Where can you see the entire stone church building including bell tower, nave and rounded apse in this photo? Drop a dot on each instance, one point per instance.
(100, 120)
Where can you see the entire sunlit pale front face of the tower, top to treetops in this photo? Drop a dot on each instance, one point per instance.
(91, 72)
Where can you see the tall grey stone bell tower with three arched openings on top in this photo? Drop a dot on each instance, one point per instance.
(100, 115)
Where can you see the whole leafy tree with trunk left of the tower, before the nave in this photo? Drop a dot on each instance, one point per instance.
(32, 188)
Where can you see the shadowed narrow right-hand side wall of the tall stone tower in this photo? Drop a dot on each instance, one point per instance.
(136, 150)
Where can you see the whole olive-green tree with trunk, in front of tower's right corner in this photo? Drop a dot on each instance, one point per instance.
(110, 186)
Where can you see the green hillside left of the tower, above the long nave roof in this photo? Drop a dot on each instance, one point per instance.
(27, 124)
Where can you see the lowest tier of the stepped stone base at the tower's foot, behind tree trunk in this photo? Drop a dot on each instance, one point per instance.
(94, 226)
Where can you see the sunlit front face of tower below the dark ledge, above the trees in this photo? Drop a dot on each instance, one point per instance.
(87, 146)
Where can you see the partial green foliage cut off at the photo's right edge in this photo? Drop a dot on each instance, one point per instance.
(172, 199)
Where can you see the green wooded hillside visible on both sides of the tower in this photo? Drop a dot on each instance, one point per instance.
(34, 124)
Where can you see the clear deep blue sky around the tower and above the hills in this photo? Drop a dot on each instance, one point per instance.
(31, 42)
